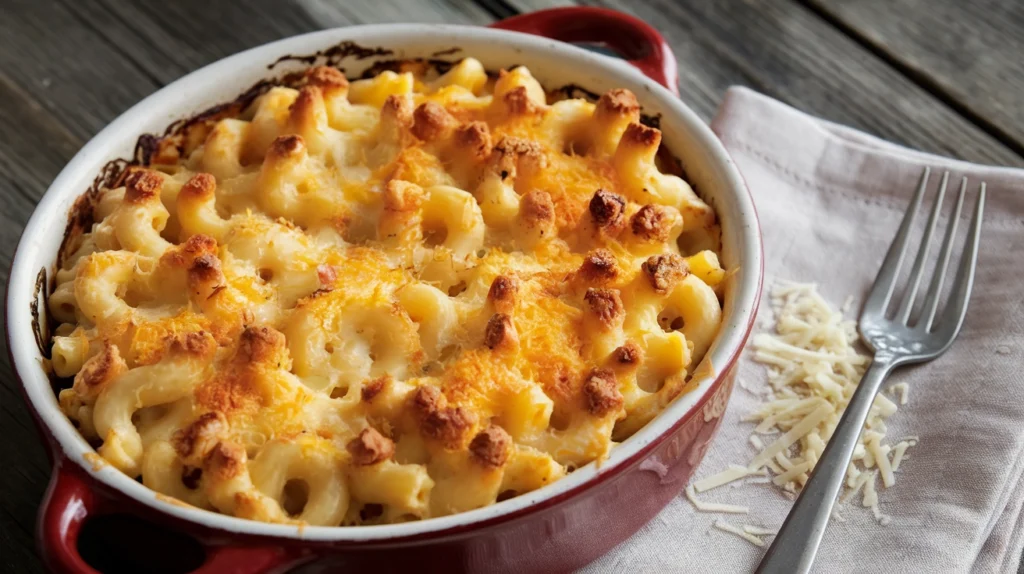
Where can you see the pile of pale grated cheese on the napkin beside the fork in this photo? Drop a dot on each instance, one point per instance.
(814, 370)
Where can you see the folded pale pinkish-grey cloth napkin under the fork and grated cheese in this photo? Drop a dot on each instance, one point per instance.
(830, 200)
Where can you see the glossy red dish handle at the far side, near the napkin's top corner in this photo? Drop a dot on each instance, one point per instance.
(630, 37)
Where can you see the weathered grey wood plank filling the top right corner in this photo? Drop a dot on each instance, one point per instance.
(967, 54)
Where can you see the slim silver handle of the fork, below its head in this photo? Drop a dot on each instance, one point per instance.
(798, 540)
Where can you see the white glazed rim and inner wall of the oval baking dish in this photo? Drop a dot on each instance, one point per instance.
(554, 65)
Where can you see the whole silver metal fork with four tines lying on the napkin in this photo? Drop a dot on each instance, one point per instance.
(897, 342)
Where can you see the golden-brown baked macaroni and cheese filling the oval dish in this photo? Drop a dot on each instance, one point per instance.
(383, 300)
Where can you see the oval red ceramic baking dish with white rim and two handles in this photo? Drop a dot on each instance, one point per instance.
(557, 528)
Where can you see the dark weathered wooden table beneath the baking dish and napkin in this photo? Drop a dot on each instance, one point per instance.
(935, 75)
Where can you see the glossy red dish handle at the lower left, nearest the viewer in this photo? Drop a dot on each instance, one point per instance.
(70, 502)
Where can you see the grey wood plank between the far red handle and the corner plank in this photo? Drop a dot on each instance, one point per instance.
(789, 53)
